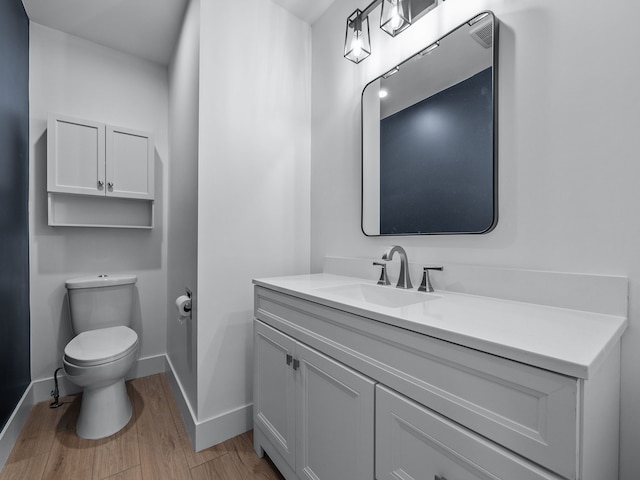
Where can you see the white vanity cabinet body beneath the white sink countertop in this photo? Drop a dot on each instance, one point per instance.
(442, 410)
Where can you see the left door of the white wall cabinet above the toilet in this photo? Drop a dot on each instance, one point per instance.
(76, 156)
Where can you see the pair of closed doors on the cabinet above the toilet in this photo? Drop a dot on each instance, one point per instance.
(92, 158)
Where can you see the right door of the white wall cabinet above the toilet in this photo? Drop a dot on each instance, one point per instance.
(129, 163)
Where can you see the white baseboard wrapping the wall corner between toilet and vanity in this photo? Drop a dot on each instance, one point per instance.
(206, 433)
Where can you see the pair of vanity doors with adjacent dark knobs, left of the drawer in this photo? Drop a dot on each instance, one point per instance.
(316, 413)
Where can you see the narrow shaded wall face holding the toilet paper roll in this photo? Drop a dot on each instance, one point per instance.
(182, 245)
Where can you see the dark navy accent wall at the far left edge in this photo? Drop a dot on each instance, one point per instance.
(14, 213)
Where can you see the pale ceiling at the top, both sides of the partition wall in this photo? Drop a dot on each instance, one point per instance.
(144, 28)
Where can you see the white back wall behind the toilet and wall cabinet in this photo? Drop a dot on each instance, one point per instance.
(75, 77)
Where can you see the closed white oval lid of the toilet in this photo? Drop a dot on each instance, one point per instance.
(103, 345)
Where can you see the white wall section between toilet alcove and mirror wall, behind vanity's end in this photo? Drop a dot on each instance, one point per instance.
(253, 182)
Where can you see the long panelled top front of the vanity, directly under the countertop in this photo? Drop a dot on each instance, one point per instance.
(530, 411)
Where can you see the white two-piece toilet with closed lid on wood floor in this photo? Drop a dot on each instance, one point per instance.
(102, 352)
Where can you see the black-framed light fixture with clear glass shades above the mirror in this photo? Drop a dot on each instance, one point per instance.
(396, 16)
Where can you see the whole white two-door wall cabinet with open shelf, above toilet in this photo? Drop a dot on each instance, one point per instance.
(98, 175)
